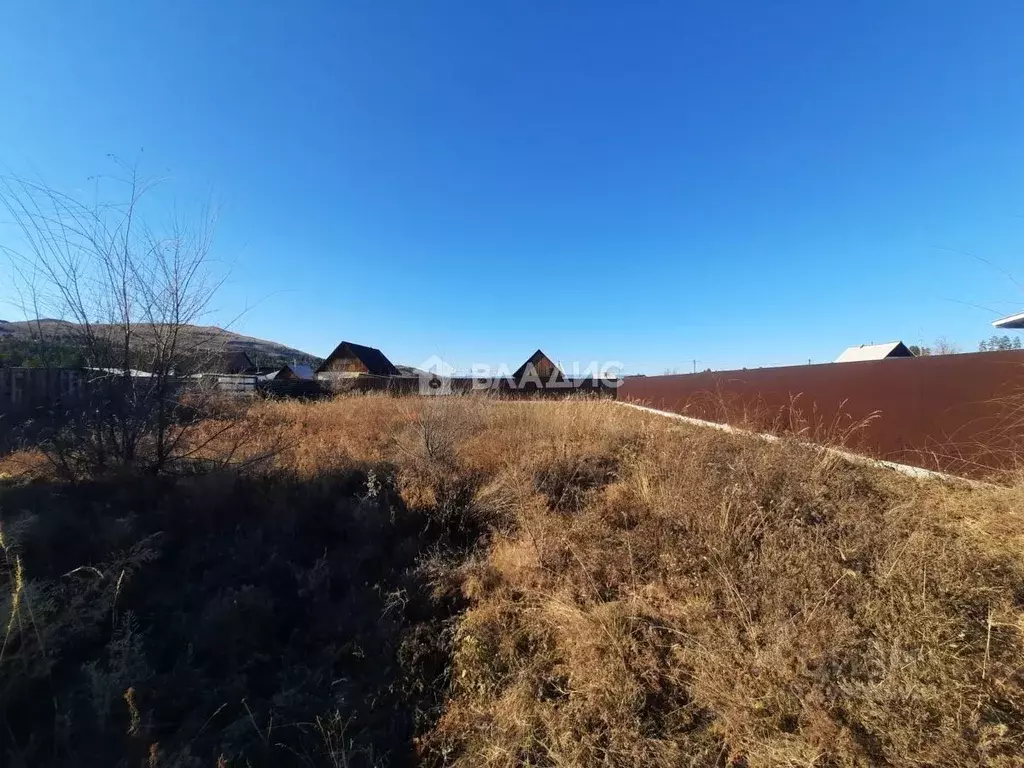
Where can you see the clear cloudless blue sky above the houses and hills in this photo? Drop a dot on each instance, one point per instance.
(744, 184)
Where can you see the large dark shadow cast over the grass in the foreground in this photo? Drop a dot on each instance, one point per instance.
(263, 620)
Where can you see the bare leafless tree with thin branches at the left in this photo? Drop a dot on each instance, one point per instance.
(125, 292)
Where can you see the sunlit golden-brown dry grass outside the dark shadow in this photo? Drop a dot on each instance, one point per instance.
(641, 592)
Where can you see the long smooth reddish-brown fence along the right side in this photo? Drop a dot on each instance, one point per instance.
(961, 413)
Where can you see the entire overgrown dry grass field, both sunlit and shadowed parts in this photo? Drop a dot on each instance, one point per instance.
(378, 581)
